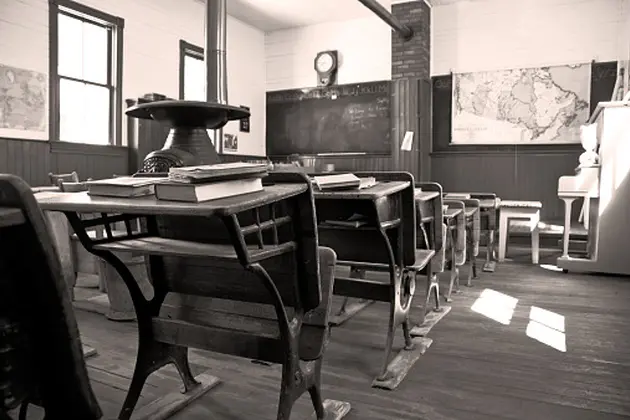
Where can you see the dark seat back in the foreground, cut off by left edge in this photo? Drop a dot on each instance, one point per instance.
(41, 357)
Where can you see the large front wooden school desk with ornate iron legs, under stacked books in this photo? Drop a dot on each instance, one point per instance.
(251, 249)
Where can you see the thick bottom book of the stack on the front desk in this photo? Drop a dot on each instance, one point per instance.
(197, 193)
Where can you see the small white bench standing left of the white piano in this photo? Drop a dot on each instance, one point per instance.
(527, 210)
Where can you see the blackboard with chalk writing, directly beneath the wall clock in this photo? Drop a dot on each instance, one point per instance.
(336, 119)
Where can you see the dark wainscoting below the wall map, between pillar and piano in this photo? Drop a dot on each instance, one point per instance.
(514, 173)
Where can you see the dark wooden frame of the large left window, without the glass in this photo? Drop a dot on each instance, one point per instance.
(114, 63)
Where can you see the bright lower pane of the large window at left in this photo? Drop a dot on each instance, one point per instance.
(84, 113)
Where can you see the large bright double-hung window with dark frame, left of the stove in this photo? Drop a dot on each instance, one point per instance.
(86, 74)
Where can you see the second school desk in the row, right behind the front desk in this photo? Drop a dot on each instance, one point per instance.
(387, 244)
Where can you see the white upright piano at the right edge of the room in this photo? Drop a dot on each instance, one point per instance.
(606, 191)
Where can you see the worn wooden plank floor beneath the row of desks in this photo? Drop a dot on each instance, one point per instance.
(476, 369)
